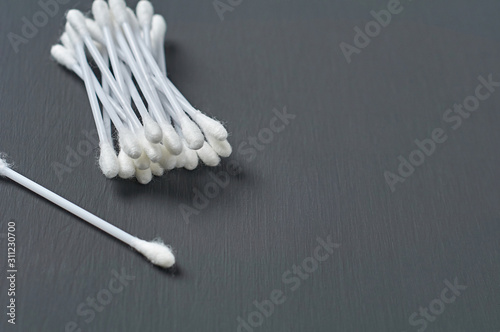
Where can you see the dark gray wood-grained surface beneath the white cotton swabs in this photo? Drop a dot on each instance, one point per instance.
(323, 175)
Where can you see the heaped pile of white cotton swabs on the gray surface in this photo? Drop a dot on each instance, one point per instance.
(128, 50)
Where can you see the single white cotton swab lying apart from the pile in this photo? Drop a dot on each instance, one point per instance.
(156, 252)
